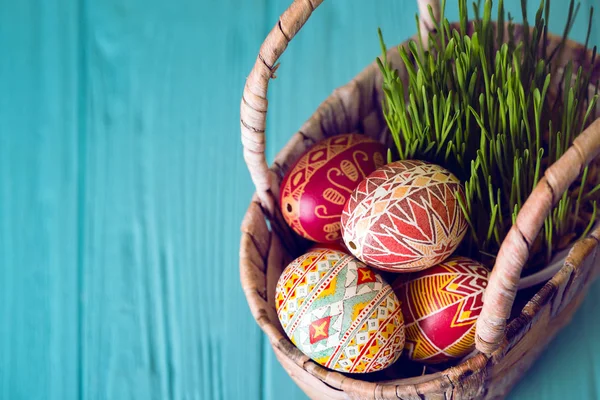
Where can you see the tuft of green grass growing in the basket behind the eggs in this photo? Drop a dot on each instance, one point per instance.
(481, 106)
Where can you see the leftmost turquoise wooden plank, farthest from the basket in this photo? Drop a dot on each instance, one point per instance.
(39, 200)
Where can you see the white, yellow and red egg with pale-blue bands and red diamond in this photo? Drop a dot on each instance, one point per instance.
(339, 312)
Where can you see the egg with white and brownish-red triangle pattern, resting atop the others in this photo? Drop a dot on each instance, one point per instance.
(404, 217)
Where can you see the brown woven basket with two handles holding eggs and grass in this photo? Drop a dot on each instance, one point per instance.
(505, 351)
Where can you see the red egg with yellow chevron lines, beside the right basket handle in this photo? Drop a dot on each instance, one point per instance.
(440, 307)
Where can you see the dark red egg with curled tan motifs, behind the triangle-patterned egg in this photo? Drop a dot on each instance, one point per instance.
(313, 192)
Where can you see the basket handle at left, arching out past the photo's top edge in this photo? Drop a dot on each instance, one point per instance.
(254, 100)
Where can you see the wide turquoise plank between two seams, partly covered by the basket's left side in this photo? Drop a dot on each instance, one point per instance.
(165, 317)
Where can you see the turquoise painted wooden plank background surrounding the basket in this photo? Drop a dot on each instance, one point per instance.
(122, 188)
